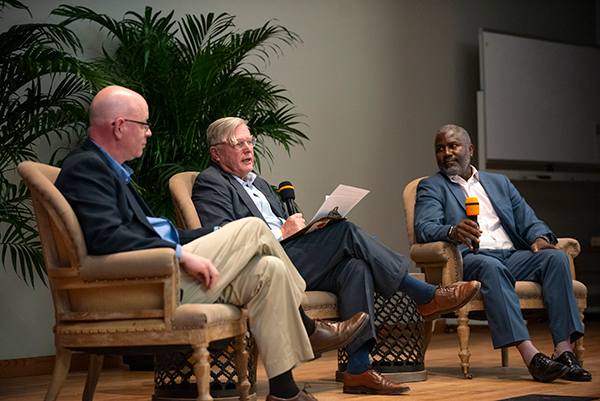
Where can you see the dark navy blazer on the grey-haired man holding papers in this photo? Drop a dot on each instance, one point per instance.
(220, 199)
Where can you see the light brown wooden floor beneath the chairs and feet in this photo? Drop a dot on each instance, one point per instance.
(490, 382)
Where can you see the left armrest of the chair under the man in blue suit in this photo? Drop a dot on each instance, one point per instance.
(440, 261)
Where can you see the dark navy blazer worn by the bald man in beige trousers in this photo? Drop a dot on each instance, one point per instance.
(111, 213)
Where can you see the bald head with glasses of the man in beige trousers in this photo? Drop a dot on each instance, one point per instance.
(118, 118)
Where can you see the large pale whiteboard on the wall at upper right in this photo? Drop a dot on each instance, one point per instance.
(541, 104)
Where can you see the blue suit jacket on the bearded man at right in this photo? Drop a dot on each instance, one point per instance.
(441, 203)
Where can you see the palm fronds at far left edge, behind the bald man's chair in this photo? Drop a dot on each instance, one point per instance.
(44, 97)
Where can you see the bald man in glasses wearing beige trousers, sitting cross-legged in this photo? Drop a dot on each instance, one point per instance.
(241, 264)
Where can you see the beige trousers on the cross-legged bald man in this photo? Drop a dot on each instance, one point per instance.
(255, 272)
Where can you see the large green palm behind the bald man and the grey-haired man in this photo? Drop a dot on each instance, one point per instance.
(192, 72)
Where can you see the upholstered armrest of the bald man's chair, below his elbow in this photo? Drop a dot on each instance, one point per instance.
(146, 263)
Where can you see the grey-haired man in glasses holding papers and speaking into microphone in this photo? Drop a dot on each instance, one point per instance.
(342, 258)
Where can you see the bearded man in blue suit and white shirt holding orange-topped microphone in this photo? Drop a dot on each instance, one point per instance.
(514, 245)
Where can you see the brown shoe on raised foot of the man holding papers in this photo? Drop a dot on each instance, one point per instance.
(448, 299)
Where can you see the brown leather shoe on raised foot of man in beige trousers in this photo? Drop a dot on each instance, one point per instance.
(333, 335)
